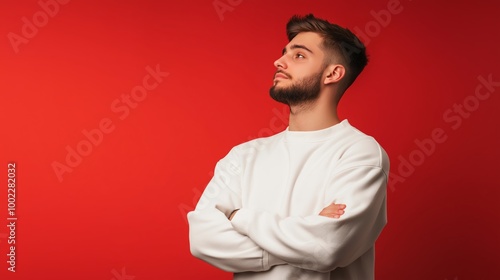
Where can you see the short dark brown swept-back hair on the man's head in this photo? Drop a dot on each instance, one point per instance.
(338, 42)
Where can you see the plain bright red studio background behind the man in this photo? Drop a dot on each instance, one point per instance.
(121, 211)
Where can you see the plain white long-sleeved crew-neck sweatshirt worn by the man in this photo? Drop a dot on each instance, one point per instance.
(280, 184)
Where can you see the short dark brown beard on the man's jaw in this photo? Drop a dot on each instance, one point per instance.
(302, 92)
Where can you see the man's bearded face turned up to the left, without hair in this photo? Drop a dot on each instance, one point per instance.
(299, 73)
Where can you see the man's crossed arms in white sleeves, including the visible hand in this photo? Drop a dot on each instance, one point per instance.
(252, 240)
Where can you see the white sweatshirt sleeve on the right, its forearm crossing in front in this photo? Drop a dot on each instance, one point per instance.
(320, 243)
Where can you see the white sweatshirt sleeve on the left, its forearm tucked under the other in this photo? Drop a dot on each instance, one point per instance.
(212, 237)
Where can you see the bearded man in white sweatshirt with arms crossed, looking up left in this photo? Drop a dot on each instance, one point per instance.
(310, 201)
